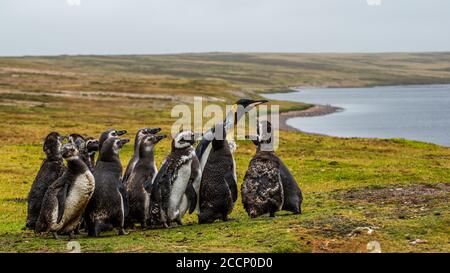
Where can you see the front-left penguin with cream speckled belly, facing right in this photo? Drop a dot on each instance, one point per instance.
(62, 209)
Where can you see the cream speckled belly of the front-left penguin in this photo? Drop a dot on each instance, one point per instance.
(77, 199)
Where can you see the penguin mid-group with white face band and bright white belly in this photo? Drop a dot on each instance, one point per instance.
(172, 192)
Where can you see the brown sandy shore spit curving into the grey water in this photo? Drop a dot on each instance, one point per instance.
(316, 110)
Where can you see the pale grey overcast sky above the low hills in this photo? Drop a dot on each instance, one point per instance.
(51, 27)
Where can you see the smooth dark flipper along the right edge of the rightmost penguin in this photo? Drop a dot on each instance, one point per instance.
(292, 194)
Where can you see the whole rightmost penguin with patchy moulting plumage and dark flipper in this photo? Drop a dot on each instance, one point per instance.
(260, 191)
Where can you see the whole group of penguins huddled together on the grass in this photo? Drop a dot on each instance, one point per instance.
(96, 196)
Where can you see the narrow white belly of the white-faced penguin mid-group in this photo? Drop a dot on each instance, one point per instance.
(178, 189)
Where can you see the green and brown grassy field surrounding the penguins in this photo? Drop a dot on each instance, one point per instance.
(397, 187)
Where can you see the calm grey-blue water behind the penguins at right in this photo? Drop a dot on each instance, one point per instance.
(411, 112)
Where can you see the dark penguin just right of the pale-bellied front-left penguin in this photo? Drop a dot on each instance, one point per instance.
(106, 209)
